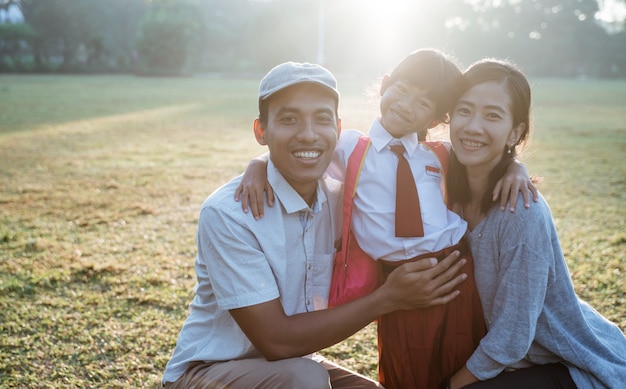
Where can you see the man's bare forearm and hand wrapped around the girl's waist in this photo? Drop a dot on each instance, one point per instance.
(413, 285)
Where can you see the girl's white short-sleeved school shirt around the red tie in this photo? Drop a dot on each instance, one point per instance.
(373, 217)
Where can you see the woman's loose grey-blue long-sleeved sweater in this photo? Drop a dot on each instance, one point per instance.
(532, 313)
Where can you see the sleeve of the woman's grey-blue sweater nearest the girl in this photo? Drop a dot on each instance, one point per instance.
(523, 271)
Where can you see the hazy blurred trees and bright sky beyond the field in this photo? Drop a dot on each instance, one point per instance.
(548, 38)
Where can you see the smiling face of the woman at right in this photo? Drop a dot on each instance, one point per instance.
(481, 126)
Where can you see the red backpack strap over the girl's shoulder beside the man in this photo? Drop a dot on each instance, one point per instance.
(353, 171)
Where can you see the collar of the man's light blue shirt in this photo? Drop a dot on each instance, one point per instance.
(287, 196)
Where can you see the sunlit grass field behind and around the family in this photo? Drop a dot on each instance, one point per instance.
(101, 180)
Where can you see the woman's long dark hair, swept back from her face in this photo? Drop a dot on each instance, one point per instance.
(517, 86)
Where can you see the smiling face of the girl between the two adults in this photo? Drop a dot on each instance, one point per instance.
(406, 108)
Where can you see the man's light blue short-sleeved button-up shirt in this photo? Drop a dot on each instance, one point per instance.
(287, 254)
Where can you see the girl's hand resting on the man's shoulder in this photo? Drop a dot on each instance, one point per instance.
(253, 185)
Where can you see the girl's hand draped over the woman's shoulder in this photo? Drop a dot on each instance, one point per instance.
(515, 180)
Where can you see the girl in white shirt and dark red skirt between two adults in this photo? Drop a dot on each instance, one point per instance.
(417, 348)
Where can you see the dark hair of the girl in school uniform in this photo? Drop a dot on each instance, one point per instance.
(435, 72)
